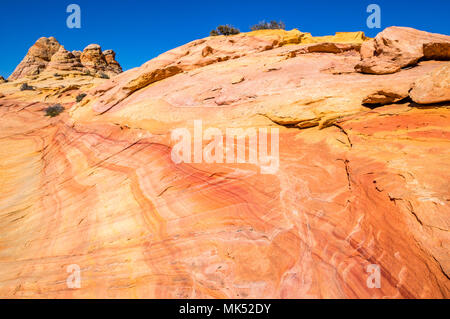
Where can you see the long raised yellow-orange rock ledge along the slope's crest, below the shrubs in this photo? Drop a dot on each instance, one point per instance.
(204, 52)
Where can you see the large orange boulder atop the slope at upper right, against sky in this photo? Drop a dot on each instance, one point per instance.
(399, 47)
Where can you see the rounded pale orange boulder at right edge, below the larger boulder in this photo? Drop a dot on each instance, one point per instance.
(433, 87)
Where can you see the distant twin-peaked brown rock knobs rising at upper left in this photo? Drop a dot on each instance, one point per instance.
(47, 55)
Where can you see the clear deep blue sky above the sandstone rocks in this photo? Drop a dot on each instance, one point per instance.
(139, 30)
